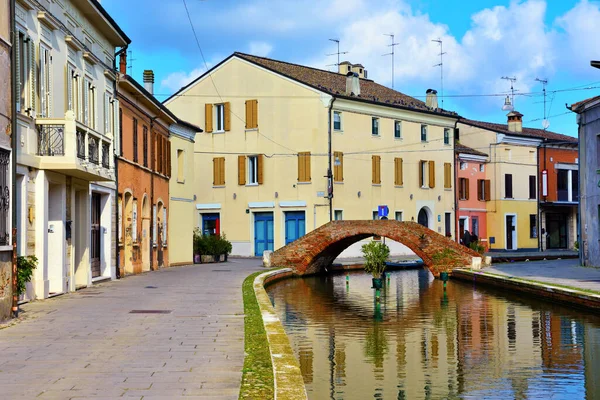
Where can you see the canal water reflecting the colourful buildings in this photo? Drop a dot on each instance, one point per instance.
(422, 341)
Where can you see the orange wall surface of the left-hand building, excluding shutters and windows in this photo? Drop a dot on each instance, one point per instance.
(141, 181)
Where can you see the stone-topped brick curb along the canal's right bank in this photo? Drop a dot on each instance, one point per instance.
(571, 297)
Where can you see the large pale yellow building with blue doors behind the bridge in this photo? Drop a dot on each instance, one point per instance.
(274, 130)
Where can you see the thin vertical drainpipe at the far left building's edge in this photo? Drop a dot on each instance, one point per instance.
(13, 139)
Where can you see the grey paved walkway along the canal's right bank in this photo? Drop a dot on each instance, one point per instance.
(561, 272)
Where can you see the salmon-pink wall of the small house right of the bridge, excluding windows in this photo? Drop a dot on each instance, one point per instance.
(466, 208)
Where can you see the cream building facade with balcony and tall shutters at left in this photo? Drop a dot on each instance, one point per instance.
(67, 117)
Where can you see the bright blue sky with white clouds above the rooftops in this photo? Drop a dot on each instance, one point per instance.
(483, 40)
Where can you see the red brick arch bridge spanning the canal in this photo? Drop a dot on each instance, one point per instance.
(316, 250)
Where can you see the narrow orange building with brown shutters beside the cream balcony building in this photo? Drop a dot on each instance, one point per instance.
(144, 168)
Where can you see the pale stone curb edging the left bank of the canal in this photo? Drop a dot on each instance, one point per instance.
(288, 381)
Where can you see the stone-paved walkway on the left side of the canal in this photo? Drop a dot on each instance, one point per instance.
(88, 344)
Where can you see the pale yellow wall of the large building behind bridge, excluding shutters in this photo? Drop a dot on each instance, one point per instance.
(296, 117)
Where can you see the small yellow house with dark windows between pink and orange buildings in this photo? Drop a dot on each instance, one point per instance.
(512, 212)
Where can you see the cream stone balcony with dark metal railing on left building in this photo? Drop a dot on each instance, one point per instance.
(72, 148)
